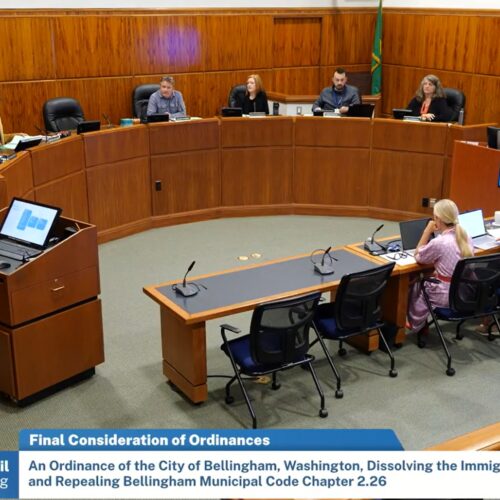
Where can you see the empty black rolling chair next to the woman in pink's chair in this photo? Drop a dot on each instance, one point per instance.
(356, 311)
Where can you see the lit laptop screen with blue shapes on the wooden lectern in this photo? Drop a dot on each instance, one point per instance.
(29, 222)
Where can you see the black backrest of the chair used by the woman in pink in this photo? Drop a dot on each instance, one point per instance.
(474, 284)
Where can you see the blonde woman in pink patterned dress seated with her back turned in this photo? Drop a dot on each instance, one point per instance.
(444, 251)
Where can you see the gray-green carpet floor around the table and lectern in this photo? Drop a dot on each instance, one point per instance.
(422, 404)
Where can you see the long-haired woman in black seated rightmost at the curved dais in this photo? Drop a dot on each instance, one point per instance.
(430, 102)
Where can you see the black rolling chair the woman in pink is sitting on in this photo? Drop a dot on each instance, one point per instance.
(473, 294)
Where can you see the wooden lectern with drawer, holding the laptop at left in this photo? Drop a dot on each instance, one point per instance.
(50, 315)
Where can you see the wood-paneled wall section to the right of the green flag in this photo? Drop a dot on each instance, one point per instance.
(460, 47)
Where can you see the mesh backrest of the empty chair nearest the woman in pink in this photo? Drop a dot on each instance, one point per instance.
(357, 304)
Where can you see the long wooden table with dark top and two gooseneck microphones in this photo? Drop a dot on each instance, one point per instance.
(183, 319)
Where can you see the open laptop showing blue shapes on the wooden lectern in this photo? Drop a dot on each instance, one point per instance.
(26, 229)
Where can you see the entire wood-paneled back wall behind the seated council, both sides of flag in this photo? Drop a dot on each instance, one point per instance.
(100, 56)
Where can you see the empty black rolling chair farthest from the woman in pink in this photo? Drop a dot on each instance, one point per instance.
(278, 340)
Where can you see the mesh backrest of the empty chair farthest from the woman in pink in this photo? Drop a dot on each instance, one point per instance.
(279, 331)
